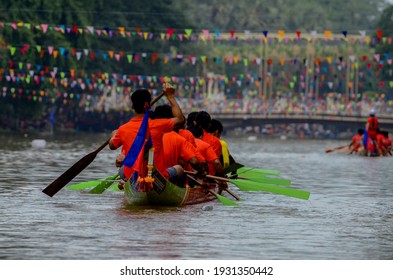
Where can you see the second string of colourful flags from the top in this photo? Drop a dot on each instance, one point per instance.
(135, 57)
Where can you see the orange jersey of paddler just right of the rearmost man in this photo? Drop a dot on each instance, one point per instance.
(175, 147)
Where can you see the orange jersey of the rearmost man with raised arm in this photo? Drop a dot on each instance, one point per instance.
(127, 132)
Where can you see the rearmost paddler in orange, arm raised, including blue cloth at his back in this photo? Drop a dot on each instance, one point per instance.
(142, 136)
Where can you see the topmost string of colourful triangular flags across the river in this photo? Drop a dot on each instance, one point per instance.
(188, 34)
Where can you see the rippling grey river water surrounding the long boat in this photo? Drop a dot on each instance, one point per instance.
(349, 214)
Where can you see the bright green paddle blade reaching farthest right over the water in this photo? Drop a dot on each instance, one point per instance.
(254, 187)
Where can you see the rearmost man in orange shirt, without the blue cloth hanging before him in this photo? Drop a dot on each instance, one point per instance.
(125, 135)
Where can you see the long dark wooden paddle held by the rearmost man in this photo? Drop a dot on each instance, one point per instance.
(79, 166)
